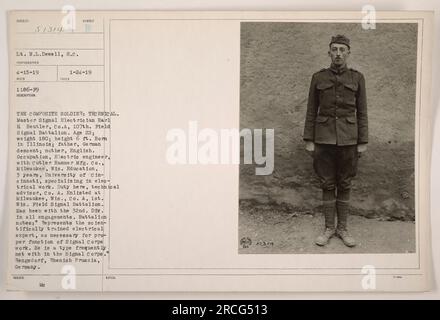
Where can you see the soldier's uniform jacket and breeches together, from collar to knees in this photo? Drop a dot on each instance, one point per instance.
(336, 121)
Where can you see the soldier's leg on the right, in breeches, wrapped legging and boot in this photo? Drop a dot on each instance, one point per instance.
(346, 170)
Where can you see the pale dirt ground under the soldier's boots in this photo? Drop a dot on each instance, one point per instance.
(292, 233)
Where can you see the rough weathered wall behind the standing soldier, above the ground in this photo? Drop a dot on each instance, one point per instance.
(277, 63)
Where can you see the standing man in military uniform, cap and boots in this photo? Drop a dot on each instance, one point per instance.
(336, 133)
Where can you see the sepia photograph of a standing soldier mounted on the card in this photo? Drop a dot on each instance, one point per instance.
(341, 100)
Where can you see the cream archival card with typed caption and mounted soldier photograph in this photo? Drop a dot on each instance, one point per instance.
(265, 153)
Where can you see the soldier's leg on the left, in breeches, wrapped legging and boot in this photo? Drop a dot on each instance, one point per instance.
(325, 167)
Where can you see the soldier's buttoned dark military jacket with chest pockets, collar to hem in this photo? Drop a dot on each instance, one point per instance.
(337, 108)
